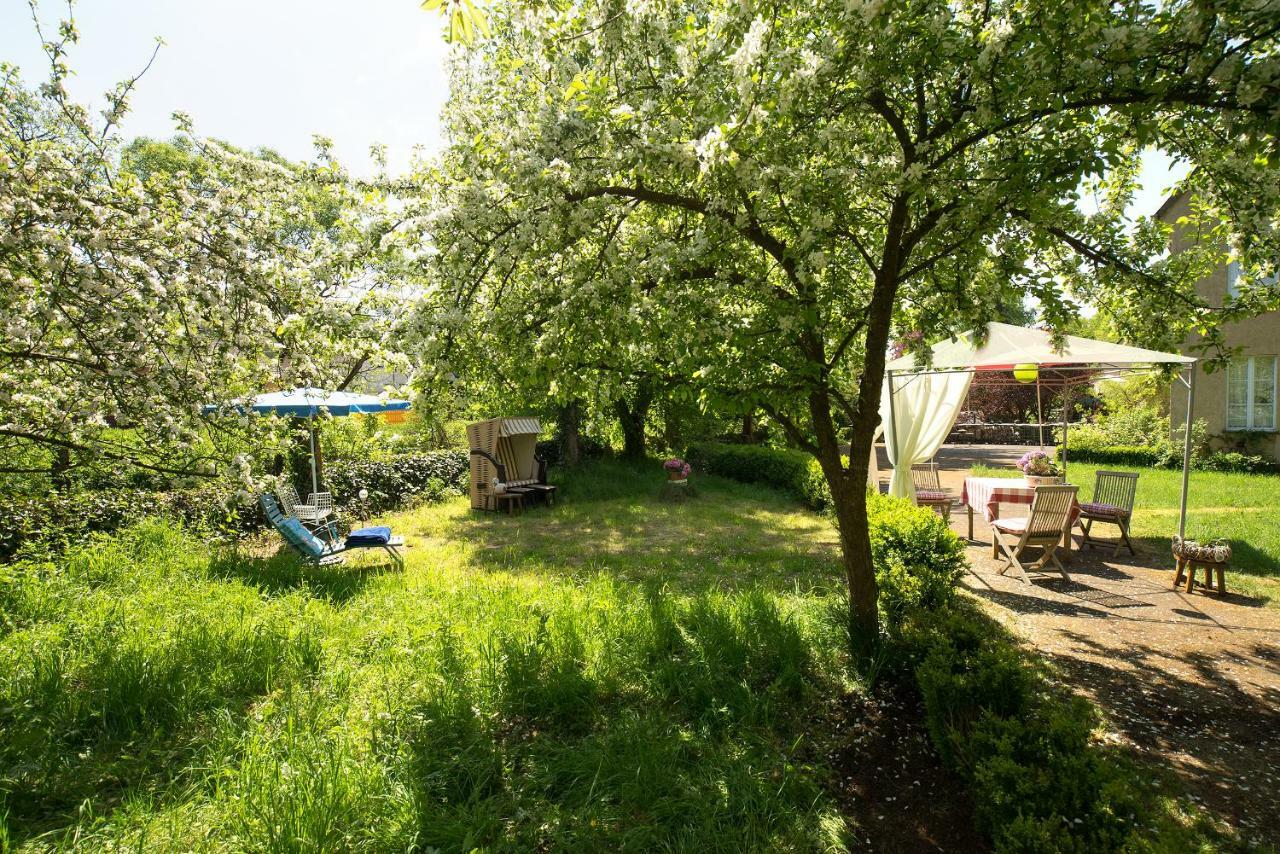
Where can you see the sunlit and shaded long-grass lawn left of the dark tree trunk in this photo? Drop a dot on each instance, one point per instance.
(612, 674)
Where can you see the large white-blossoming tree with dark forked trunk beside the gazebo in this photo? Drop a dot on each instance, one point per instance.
(757, 195)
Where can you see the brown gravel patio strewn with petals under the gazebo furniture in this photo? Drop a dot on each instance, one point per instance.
(1190, 682)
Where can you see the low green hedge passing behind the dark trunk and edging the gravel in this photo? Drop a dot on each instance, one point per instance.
(1026, 747)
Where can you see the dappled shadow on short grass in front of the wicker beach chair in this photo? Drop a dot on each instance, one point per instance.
(610, 519)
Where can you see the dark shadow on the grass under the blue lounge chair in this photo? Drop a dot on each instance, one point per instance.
(285, 573)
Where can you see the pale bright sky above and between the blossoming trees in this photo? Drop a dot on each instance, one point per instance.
(277, 72)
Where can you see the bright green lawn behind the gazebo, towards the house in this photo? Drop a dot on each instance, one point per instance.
(1244, 509)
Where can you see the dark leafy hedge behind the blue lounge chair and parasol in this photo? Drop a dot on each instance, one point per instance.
(216, 512)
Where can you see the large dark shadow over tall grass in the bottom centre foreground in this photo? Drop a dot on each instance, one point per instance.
(689, 746)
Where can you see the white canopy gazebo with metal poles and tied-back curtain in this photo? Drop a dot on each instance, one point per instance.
(921, 403)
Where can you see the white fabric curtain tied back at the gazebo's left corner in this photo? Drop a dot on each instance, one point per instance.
(925, 410)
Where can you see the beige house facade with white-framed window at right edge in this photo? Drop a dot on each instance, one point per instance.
(1238, 404)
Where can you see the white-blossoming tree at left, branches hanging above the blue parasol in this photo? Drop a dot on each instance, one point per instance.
(138, 287)
